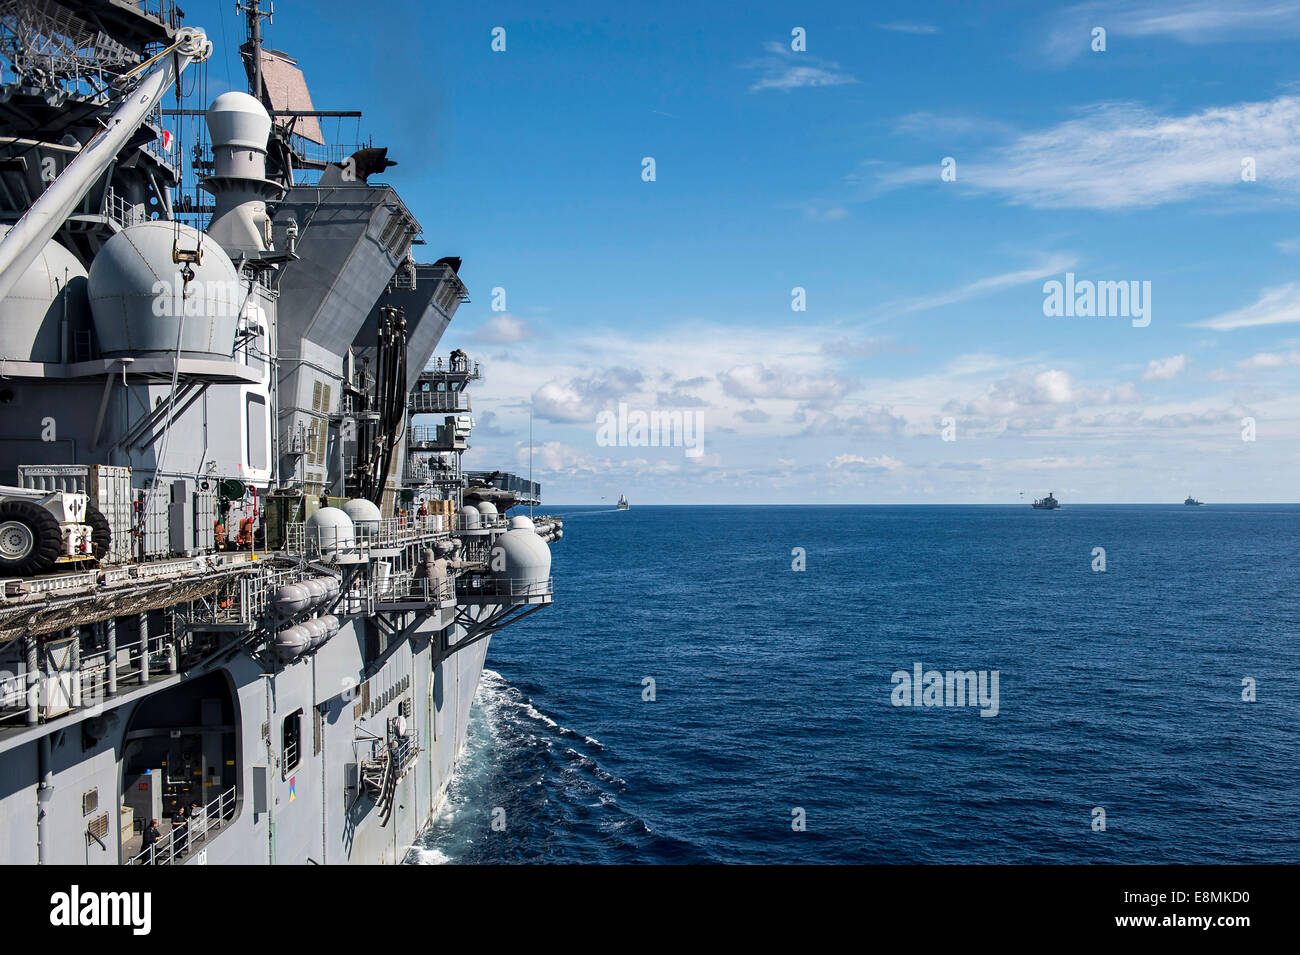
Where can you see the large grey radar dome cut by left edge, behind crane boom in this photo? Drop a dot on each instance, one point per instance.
(37, 303)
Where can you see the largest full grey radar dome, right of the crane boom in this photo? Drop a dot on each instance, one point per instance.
(140, 298)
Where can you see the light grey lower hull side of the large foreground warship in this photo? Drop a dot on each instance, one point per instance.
(310, 814)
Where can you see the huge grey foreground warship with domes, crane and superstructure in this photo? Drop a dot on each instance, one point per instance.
(237, 571)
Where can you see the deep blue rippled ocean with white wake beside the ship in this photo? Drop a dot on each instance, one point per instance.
(774, 693)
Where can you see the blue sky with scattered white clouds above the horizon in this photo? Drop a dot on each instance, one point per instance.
(821, 170)
